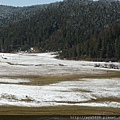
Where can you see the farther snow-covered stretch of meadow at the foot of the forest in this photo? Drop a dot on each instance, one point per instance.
(45, 64)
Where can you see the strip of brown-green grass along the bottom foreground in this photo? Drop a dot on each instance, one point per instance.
(59, 110)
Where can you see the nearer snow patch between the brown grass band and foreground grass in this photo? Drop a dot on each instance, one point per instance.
(77, 93)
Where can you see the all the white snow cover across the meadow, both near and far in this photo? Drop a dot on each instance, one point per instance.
(82, 92)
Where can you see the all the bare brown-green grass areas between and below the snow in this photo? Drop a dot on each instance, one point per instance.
(63, 110)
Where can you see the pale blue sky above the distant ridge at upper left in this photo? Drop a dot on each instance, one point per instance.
(26, 2)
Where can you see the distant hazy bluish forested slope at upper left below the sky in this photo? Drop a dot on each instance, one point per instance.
(9, 14)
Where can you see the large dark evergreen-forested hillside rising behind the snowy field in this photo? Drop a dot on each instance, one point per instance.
(78, 29)
